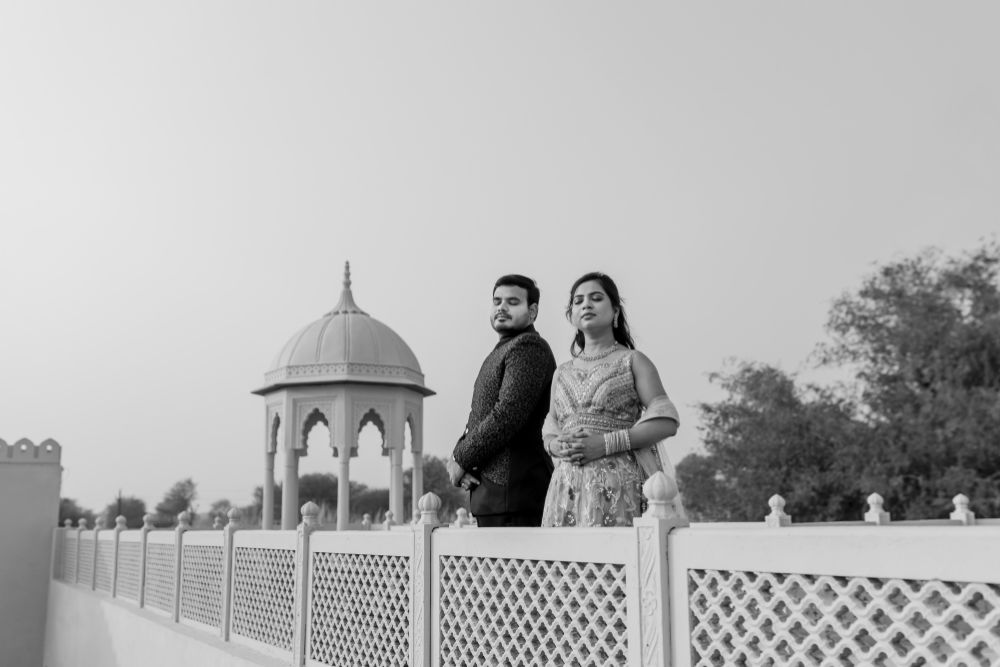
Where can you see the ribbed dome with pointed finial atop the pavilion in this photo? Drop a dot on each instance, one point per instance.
(345, 345)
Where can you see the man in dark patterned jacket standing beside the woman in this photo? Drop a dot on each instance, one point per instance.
(500, 458)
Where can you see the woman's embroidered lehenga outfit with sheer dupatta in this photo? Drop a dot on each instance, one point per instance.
(607, 491)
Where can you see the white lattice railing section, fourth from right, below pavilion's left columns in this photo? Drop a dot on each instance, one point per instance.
(263, 590)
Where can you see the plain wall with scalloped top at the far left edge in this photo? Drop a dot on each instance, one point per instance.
(30, 477)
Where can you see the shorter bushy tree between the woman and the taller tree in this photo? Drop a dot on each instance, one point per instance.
(769, 436)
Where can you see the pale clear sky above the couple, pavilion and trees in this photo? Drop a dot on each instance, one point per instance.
(181, 184)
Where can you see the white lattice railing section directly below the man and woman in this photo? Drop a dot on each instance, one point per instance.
(564, 597)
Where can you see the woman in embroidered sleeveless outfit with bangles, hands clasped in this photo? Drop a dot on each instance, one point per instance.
(603, 451)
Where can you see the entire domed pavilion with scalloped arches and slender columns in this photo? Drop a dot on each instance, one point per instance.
(344, 370)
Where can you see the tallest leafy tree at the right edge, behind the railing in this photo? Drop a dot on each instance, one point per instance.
(924, 337)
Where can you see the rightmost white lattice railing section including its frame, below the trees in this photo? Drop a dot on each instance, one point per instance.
(838, 595)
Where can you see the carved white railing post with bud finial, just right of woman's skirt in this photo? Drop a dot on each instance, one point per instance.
(651, 530)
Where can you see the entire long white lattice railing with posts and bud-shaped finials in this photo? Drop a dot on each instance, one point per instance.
(870, 592)
